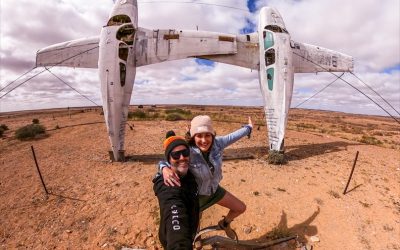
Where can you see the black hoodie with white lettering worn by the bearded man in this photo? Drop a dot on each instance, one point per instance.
(179, 212)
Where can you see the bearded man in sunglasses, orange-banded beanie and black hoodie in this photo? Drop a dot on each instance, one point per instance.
(179, 205)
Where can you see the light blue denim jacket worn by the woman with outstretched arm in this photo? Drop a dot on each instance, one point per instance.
(207, 181)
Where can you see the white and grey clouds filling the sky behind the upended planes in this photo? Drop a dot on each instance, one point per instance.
(366, 29)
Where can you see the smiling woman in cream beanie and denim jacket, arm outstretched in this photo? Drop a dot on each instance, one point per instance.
(206, 165)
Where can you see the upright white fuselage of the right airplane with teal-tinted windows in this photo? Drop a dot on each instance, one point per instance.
(275, 74)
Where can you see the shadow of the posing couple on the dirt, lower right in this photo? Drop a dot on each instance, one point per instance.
(302, 230)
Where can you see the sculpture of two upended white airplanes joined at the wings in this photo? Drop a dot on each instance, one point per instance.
(123, 46)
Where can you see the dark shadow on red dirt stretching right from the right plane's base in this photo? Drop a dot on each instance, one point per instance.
(300, 152)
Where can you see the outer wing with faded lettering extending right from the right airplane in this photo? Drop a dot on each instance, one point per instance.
(311, 59)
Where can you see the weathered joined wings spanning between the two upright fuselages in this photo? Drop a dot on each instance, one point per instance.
(154, 46)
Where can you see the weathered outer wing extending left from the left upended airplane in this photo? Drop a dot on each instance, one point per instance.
(81, 53)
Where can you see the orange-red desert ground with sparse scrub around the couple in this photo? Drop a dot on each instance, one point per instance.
(98, 204)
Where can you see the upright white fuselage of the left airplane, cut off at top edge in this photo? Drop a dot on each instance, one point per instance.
(117, 76)
